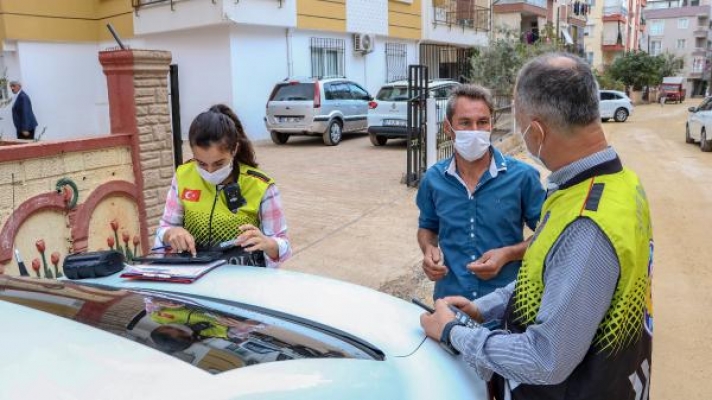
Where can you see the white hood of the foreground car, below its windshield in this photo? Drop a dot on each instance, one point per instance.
(46, 356)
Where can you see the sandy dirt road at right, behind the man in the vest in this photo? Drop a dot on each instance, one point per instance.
(678, 180)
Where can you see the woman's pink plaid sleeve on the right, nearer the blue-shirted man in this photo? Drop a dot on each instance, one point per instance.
(274, 225)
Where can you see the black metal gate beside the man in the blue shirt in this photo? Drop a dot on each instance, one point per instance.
(417, 119)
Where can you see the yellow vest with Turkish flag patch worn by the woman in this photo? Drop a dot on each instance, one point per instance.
(200, 199)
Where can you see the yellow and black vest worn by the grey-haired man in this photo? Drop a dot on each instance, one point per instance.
(617, 365)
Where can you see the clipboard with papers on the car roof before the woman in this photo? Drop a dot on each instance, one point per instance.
(176, 273)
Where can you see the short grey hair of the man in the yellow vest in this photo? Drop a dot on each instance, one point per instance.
(558, 88)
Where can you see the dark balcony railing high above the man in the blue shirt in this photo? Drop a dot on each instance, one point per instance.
(464, 13)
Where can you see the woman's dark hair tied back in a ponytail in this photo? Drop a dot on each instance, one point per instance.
(219, 125)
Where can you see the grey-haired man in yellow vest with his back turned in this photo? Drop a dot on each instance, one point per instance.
(577, 322)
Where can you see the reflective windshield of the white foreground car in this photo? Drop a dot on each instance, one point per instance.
(212, 336)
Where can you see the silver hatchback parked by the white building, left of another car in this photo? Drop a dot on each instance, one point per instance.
(324, 107)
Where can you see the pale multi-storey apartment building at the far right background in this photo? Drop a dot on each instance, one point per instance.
(683, 29)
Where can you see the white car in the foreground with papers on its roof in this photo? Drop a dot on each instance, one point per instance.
(236, 333)
